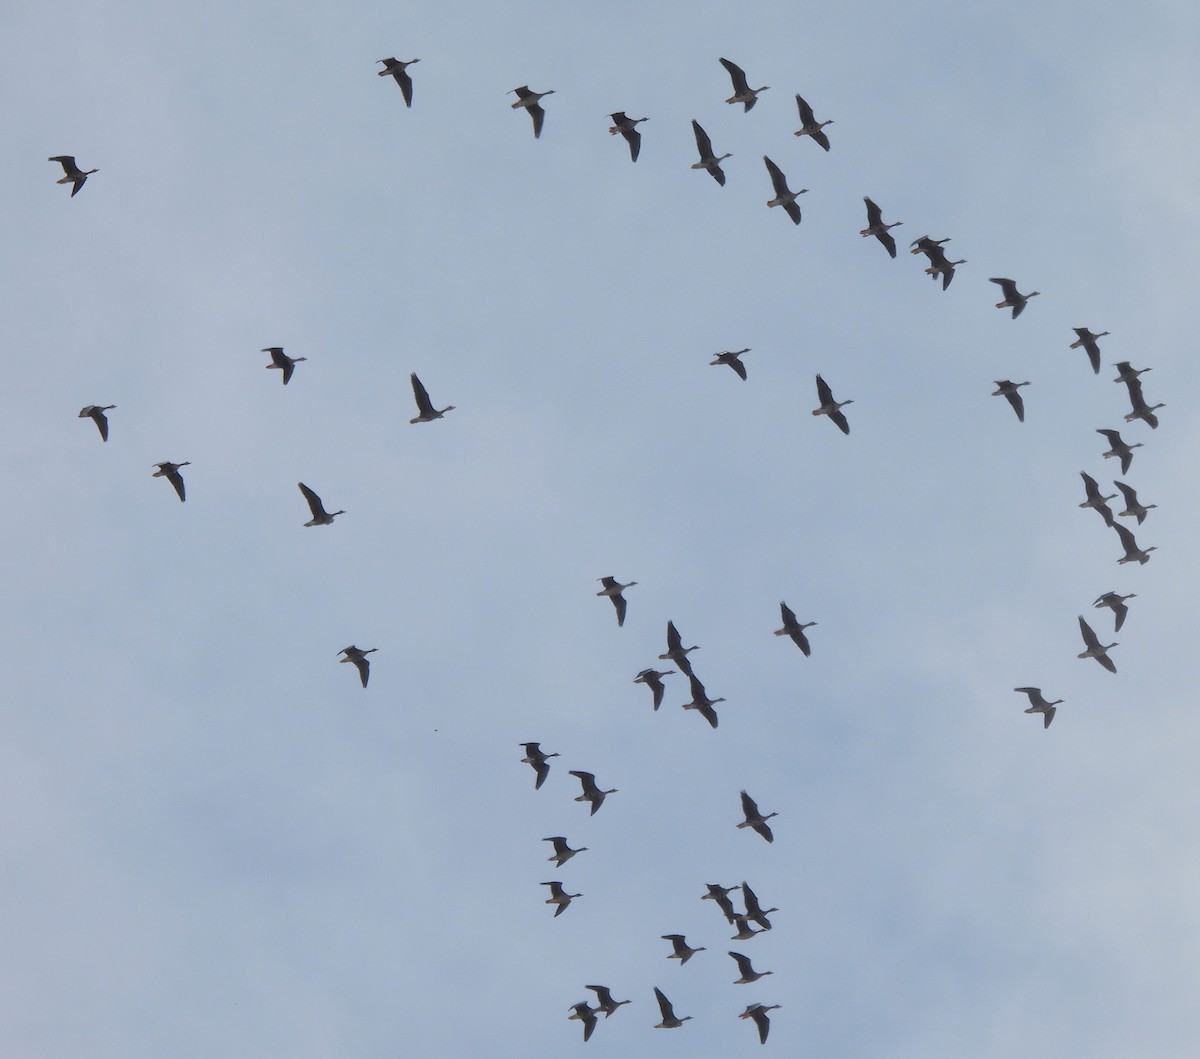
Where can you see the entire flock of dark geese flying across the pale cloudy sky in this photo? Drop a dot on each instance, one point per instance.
(752, 920)
